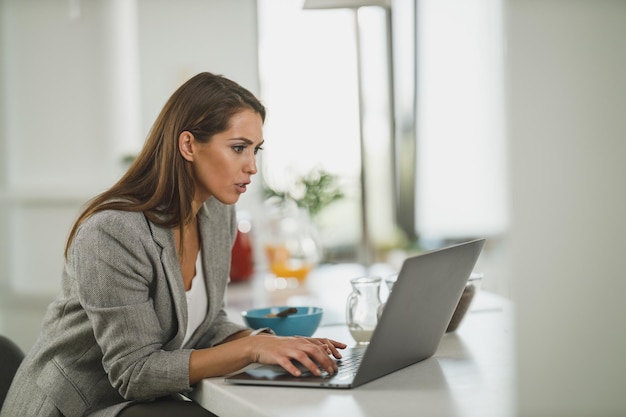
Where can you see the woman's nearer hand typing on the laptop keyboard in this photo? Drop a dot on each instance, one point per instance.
(312, 353)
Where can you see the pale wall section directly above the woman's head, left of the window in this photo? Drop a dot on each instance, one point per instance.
(178, 39)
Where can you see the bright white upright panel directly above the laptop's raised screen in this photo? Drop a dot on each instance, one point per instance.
(461, 175)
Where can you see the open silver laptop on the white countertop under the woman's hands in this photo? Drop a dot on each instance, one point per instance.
(410, 329)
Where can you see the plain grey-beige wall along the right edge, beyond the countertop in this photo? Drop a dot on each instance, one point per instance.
(567, 94)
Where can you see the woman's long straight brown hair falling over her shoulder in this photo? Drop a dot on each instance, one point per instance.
(159, 182)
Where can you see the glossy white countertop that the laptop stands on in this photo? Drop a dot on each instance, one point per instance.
(472, 374)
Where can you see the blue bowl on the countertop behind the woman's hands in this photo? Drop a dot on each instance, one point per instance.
(302, 323)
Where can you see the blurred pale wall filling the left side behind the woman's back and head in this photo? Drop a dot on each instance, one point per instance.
(70, 108)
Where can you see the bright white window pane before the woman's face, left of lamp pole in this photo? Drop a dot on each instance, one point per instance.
(309, 85)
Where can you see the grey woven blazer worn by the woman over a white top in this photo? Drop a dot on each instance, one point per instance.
(114, 333)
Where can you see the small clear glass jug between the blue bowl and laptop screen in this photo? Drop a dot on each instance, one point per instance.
(362, 307)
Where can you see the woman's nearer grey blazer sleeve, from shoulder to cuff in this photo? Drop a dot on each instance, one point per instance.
(117, 271)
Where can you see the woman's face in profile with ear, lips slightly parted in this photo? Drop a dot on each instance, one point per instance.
(223, 166)
